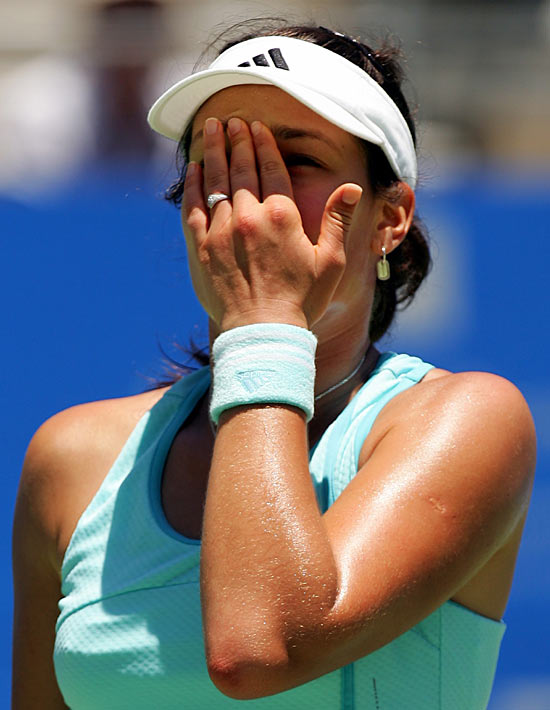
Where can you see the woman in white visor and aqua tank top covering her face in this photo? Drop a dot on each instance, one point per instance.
(363, 512)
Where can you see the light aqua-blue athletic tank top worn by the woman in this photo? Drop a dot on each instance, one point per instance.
(129, 632)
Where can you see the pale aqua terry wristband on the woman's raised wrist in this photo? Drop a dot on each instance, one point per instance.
(262, 363)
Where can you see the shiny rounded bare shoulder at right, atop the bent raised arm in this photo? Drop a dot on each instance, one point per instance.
(479, 421)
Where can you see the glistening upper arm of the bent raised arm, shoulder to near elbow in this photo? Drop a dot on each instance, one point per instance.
(444, 487)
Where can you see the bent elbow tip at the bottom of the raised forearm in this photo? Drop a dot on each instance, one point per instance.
(246, 671)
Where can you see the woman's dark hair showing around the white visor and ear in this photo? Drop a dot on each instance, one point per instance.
(411, 261)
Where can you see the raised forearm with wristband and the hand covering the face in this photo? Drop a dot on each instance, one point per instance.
(268, 575)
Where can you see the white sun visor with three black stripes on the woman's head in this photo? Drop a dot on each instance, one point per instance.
(331, 86)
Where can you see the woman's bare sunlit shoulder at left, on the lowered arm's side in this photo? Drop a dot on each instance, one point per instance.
(66, 461)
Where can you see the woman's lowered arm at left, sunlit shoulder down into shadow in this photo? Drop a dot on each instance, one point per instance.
(66, 462)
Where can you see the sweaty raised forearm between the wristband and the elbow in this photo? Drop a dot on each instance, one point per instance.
(268, 573)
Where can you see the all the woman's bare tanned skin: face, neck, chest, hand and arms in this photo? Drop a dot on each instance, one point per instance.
(289, 594)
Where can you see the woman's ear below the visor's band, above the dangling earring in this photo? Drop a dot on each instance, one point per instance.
(394, 219)
